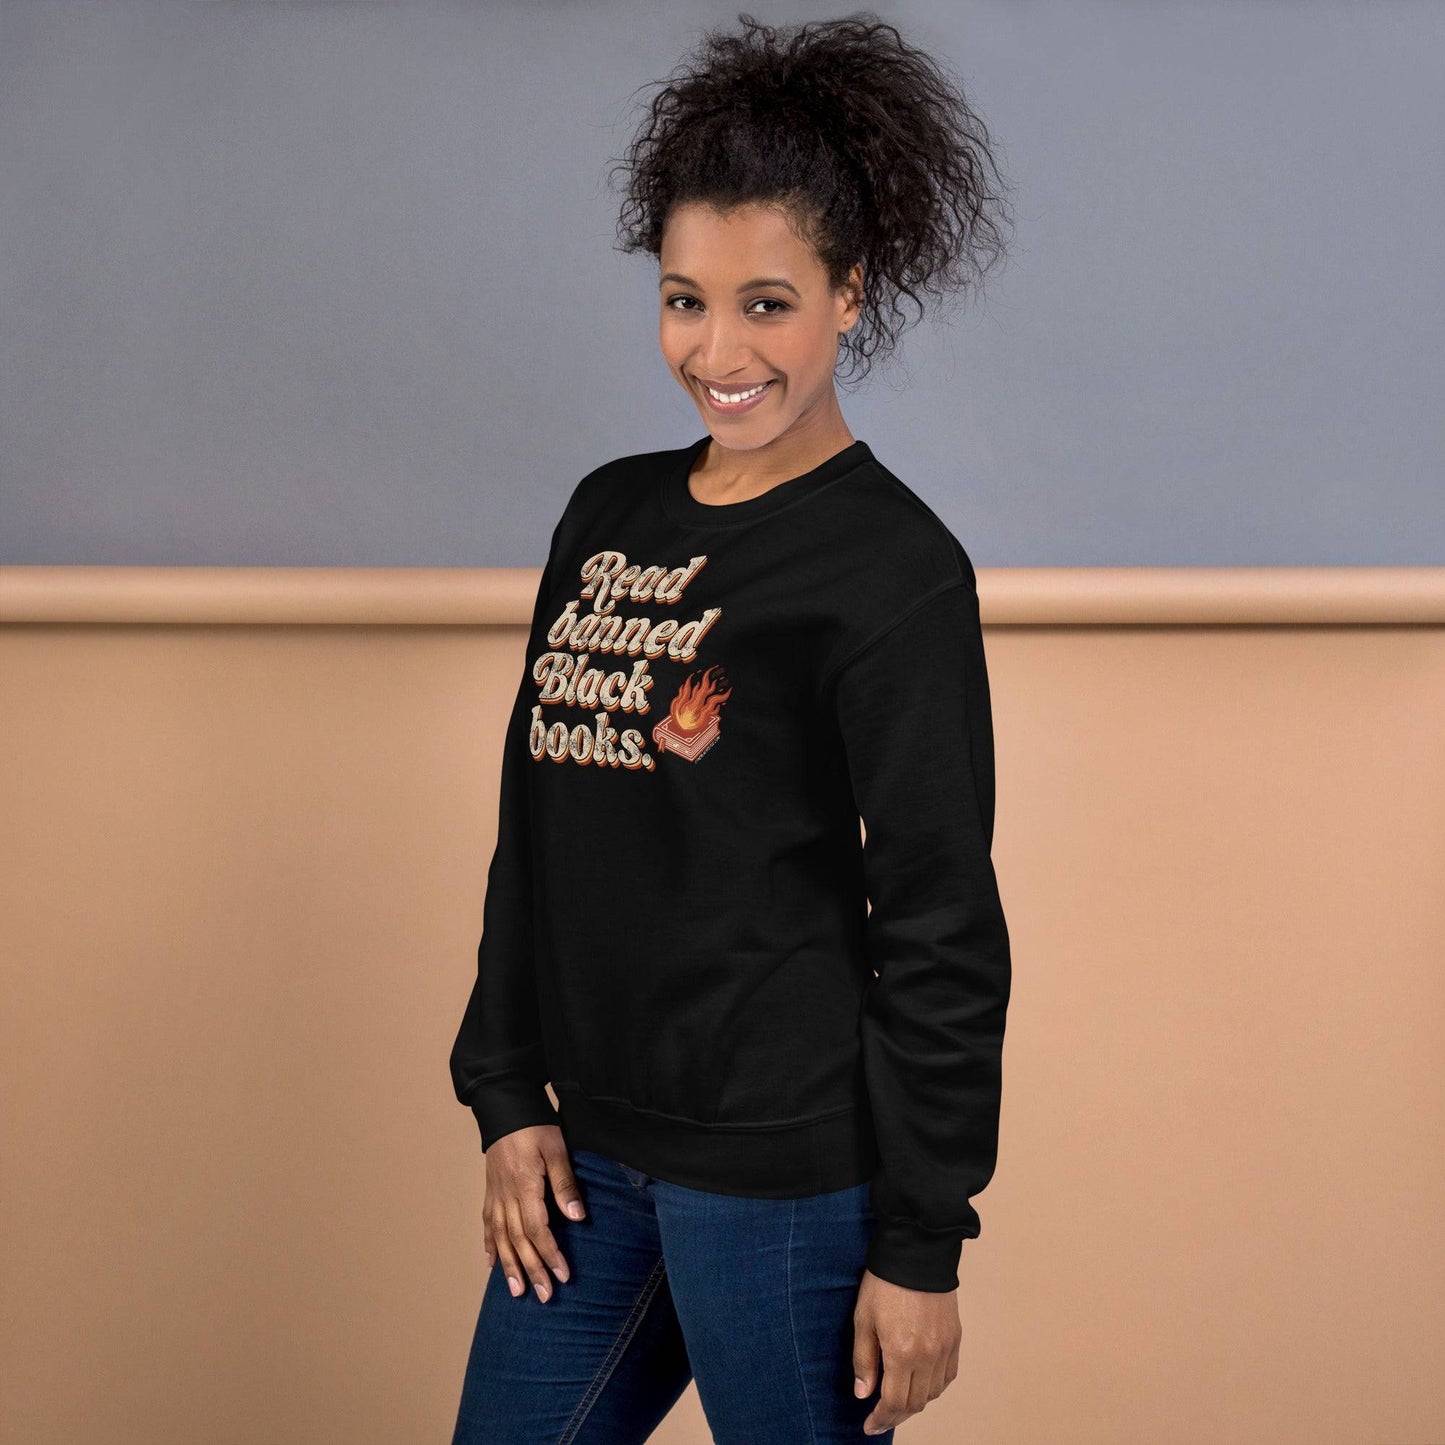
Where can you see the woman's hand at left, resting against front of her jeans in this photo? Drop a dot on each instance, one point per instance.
(515, 1215)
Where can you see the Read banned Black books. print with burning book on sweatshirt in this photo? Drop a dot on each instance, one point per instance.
(602, 661)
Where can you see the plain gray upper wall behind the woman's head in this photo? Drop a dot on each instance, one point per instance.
(335, 284)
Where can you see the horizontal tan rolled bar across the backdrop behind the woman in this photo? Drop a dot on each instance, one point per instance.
(504, 596)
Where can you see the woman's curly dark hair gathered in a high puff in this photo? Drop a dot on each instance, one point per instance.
(865, 141)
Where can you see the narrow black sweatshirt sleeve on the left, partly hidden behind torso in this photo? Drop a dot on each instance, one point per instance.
(498, 1064)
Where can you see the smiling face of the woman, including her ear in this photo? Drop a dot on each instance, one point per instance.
(746, 304)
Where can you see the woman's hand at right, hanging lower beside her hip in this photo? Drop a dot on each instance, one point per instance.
(918, 1333)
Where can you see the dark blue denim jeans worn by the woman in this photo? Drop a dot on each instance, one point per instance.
(754, 1298)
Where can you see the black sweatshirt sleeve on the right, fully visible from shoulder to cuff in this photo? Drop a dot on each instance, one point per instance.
(914, 712)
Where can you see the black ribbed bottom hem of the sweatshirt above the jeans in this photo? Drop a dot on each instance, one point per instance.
(785, 1163)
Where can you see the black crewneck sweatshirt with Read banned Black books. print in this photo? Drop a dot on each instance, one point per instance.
(677, 930)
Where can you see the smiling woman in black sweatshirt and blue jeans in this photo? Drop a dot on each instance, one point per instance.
(761, 1170)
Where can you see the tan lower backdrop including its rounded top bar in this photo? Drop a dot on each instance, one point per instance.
(245, 821)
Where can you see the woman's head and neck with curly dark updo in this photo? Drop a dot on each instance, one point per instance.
(791, 206)
